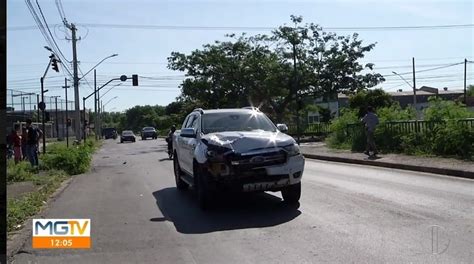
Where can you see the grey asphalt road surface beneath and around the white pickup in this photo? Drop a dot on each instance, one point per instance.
(348, 214)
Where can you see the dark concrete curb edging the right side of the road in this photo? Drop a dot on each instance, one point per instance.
(443, 171)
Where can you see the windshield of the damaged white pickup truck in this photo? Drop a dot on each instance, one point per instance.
(219, 122)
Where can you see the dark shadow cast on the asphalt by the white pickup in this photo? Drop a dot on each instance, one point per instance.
(239, 211)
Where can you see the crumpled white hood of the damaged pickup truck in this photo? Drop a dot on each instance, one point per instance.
(244, 141)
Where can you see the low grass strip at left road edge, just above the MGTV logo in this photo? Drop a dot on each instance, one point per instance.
(19, 210)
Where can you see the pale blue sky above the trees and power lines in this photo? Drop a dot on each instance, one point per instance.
(144, 51)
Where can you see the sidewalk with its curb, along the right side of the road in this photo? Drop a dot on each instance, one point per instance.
(445, 166)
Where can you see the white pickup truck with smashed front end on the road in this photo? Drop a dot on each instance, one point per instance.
(236, 150)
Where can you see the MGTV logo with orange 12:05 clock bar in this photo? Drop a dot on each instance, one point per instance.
(61, 233)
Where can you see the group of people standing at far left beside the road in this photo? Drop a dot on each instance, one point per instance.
(24, 142)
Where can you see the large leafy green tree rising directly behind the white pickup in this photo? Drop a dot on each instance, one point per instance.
(260, 70)
